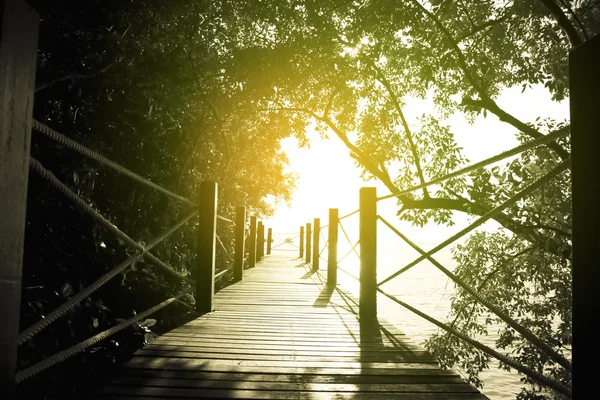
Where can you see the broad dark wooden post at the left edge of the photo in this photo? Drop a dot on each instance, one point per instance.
(18, 51)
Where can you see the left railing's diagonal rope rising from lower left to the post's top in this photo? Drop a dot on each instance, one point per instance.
(34, 329)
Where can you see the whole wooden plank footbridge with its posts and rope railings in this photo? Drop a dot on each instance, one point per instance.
(281, 330)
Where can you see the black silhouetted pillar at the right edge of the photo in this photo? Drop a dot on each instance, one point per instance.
(584, 64)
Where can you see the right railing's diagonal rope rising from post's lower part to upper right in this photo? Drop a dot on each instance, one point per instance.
(510, 201)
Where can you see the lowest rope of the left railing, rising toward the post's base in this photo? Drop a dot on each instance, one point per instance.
(78, 348)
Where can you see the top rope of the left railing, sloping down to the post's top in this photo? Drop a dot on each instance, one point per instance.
(65, 141)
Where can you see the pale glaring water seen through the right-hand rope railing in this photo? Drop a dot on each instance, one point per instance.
(427, 289)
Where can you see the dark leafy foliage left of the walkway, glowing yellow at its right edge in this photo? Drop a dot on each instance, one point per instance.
(143, 83)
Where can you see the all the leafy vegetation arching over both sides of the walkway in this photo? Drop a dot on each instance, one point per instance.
(184, 91)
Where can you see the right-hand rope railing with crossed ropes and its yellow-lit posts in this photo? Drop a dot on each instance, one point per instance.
(370, 288)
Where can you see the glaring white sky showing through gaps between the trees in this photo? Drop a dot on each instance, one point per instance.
(328, 177)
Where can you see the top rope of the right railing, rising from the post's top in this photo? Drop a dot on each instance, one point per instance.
(498, 157)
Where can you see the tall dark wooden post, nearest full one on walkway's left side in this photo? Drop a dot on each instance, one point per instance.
(205, 282)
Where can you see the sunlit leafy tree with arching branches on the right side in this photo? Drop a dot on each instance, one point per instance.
(352, 66)
